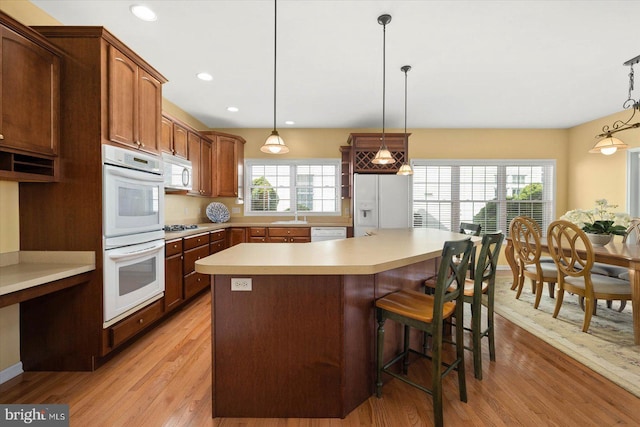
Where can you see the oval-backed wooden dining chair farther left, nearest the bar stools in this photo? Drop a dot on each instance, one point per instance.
(527, 251)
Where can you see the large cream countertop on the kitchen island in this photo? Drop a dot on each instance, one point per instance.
(385, 250)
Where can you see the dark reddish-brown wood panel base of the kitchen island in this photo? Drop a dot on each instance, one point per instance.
(300, 346)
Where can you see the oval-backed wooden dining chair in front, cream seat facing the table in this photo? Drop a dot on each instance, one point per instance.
(573, 255)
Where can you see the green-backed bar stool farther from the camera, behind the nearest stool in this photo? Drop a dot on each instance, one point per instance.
(474, 289)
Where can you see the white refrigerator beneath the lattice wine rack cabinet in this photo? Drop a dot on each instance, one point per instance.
(380, 201)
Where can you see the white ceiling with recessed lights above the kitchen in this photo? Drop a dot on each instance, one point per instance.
(475, 64)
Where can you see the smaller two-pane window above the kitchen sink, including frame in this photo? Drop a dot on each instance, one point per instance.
(283, 187)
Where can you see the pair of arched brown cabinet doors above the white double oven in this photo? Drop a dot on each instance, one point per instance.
(135, 103)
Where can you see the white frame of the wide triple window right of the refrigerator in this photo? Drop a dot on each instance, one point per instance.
(549, 186)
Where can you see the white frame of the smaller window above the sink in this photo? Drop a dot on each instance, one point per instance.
(292, 164)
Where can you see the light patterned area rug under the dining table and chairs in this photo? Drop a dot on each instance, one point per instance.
(607, 347)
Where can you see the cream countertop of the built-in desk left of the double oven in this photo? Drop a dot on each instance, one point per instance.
(27, 269)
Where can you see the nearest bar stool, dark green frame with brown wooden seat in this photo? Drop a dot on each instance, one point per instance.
(426, 313)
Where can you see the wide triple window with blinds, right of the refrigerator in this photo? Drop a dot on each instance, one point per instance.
(488, 192)
